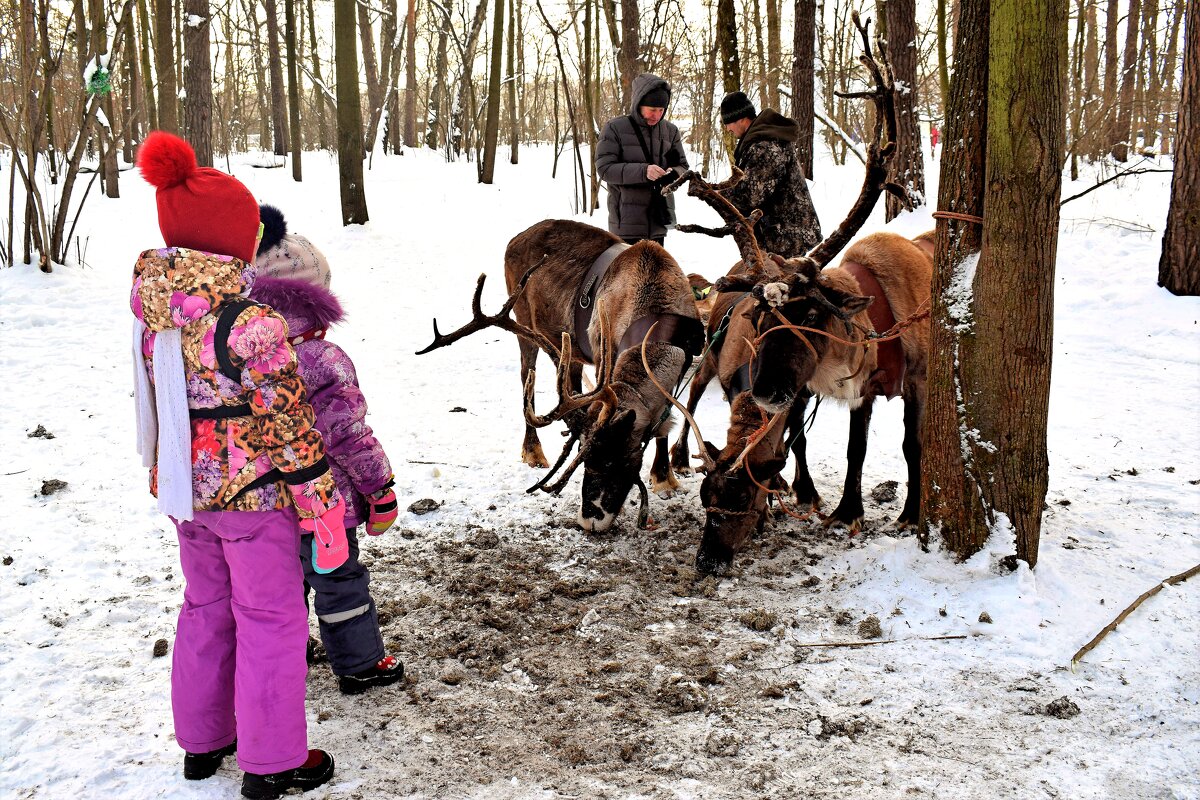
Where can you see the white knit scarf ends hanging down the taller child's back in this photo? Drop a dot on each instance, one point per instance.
(165, 431)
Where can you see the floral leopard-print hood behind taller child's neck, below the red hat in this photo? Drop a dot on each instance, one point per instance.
(177, 286)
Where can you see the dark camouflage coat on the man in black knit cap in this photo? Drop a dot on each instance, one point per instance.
(775, 182)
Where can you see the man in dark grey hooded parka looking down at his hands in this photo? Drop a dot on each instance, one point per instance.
(637, 157)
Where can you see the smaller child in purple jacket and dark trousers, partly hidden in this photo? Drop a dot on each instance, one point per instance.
(293, 279)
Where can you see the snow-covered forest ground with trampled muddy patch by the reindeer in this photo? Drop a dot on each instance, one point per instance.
(549, 664)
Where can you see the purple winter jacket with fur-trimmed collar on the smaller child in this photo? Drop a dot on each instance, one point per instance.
(361, 466)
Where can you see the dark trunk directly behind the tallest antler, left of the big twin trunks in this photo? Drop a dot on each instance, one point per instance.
(909, 167)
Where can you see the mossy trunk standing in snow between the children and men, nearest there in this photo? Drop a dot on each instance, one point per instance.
(350, 116)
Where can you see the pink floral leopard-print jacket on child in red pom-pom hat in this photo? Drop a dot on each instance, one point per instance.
(188, 290)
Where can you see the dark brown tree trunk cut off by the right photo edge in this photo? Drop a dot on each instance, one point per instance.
(1179, 270)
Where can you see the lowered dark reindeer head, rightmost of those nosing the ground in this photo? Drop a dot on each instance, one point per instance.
(736, 489)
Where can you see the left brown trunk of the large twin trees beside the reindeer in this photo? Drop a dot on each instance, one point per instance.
(950, 486)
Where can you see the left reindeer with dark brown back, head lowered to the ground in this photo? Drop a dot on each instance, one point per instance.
(579, 310)
